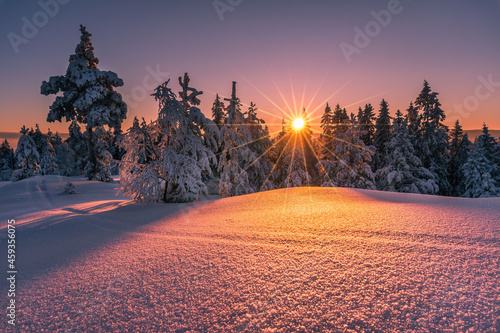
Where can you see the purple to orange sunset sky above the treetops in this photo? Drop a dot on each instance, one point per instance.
(271, 48)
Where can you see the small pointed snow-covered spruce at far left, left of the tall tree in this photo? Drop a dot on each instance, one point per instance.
(27, 157)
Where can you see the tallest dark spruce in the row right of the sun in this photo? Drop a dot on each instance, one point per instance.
(432, 139)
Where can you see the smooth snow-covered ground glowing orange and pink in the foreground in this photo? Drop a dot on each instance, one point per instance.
(291, 260)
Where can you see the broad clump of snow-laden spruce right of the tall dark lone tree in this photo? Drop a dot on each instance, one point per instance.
(164, 160)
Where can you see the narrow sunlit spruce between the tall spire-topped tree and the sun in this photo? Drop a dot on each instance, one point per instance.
(260, 145)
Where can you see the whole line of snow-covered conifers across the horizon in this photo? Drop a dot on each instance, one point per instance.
(183, 154)
